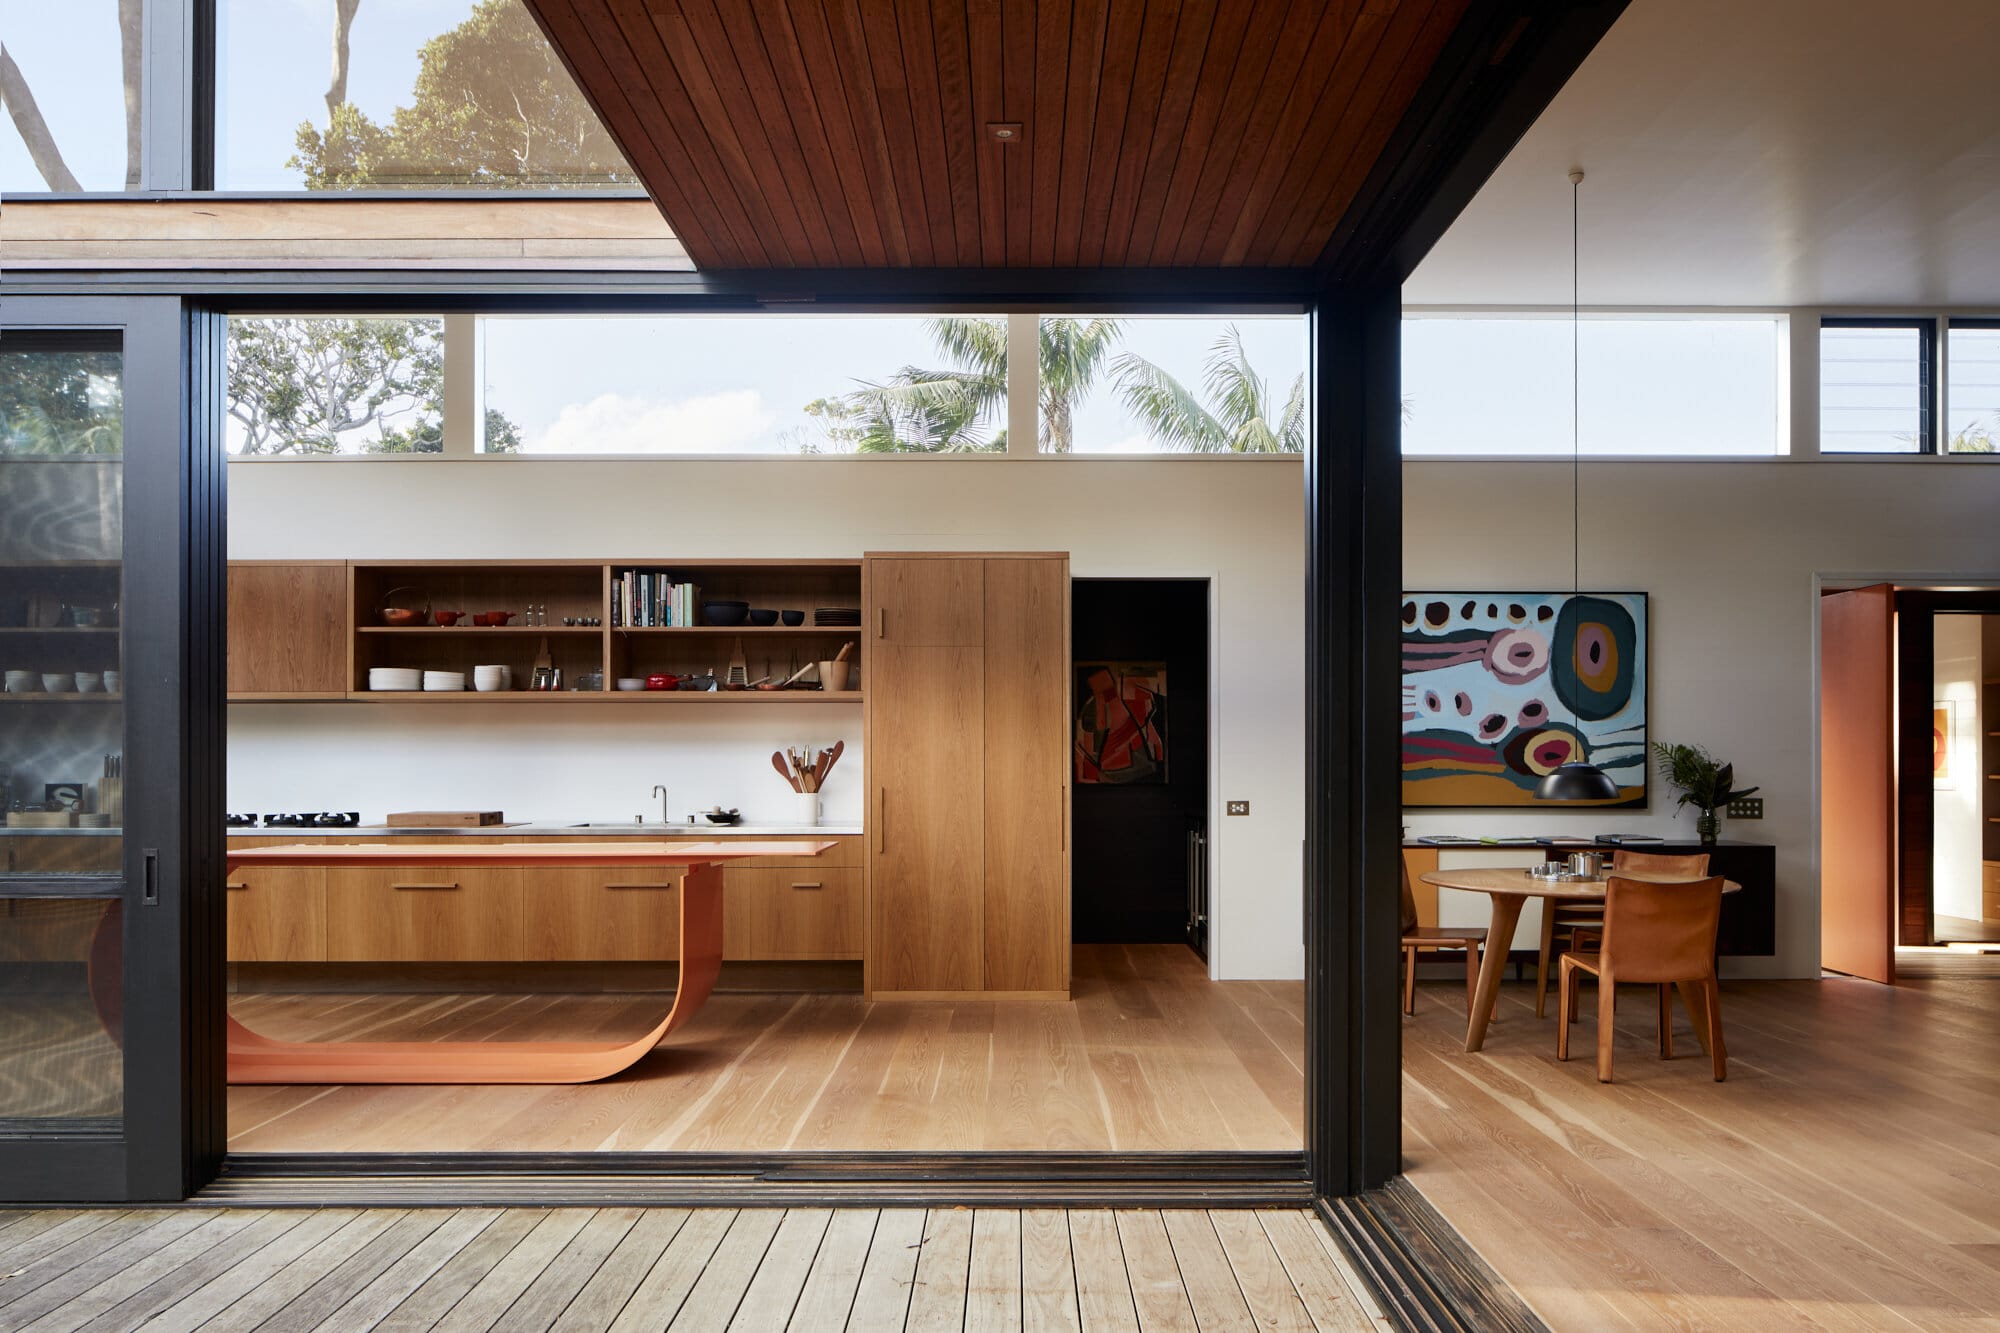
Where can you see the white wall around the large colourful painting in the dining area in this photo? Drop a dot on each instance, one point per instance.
(1731, 555)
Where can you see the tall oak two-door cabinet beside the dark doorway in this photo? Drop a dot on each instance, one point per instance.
(969, 814)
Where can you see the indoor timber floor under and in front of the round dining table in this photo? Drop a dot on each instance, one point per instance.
(1847, 1176)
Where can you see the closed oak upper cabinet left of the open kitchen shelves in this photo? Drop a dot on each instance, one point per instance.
(289, 629)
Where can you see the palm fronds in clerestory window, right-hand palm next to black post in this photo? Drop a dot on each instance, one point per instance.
(1239, 415)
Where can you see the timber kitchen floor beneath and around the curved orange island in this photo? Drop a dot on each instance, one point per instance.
(1149, 1056)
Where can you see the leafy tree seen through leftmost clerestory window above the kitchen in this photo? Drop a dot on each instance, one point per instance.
(333, 385)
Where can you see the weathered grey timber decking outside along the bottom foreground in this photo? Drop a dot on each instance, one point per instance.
(701, 1272)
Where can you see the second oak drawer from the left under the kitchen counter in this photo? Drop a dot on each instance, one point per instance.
(423, 916)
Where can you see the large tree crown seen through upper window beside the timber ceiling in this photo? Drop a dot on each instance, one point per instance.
(493, 107)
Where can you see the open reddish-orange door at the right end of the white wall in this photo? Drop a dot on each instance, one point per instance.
(1859, 784)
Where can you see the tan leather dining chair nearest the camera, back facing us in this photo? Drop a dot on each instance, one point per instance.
(1661, 934)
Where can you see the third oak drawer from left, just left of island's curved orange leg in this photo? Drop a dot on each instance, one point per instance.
(599, 916)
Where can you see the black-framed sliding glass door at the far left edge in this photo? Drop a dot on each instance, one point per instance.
(99, 609)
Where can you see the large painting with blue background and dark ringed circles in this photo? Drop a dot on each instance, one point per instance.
(1503, 688)
